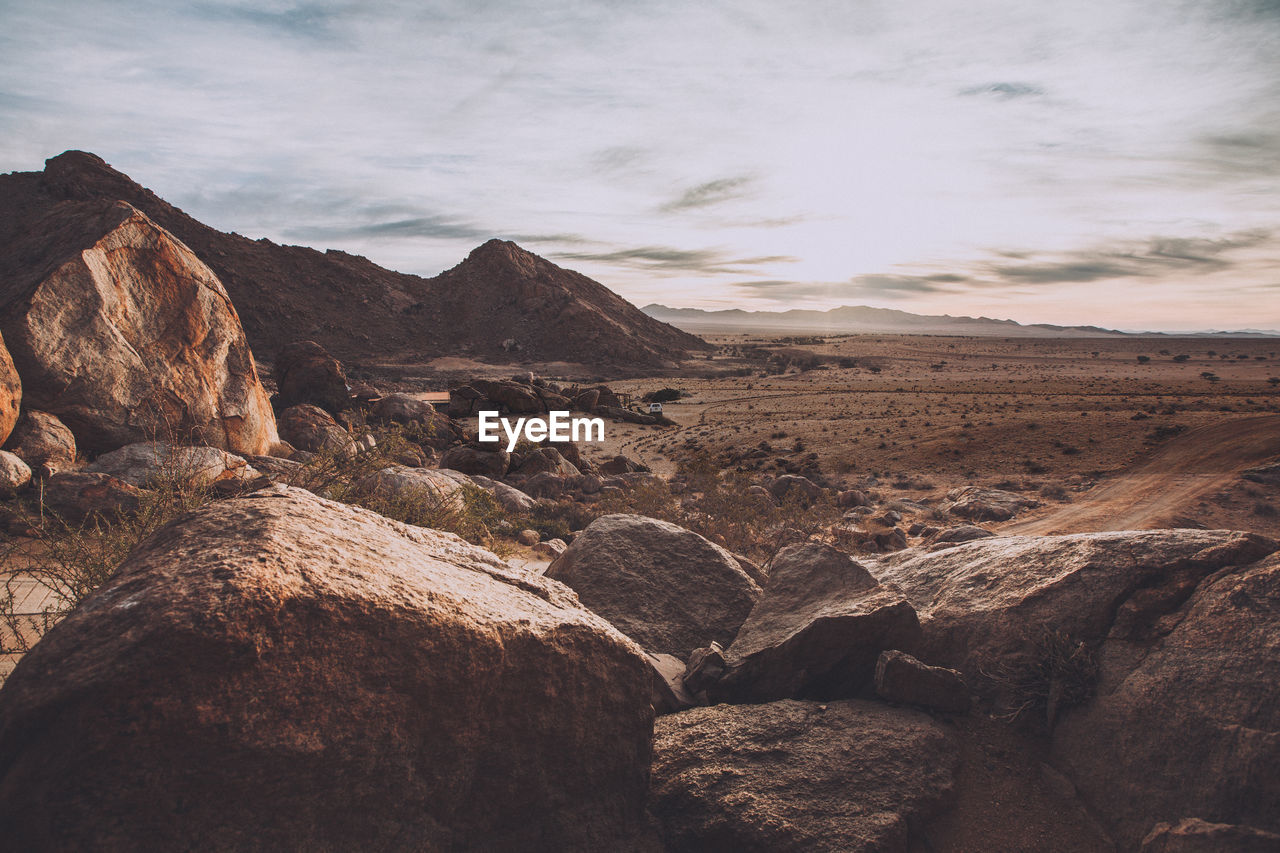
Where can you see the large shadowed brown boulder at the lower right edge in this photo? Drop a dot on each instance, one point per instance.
(1187, 713)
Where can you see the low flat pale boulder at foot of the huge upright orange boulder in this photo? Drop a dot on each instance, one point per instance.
(157, 464)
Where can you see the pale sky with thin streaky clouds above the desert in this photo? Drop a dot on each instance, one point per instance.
(1078, 162)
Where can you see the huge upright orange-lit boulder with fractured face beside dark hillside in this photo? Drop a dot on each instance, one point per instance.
(124, 334)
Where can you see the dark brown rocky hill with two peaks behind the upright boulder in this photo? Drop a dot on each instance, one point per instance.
(502, 304)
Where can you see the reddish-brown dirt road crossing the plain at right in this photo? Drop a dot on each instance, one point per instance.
(1167, 483)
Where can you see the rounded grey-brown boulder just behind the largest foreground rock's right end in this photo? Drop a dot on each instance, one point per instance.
(668, 589)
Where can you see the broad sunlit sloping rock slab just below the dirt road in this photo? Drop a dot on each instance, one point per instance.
(979, 600)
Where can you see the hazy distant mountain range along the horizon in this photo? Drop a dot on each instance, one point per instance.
(862, 320)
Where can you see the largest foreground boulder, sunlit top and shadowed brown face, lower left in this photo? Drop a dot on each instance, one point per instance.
(286, 673)
